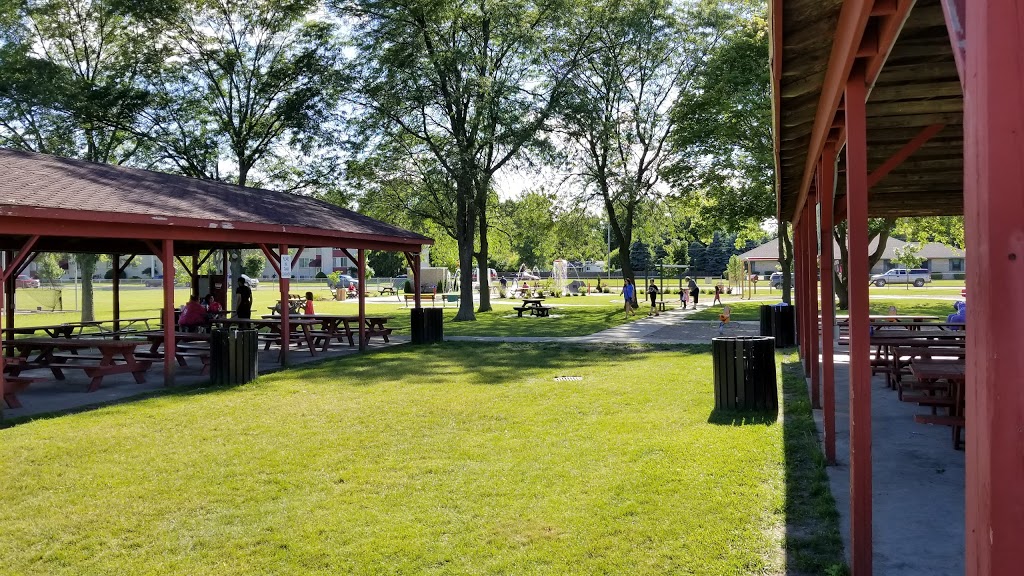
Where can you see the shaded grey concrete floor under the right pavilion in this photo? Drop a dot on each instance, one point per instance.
(918, 484)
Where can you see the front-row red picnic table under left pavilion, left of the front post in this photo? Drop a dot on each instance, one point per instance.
(116, 357)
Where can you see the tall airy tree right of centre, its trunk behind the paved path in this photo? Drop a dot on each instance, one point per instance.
(617, 115)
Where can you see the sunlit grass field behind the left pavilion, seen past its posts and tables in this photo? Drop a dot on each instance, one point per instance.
(575, 316)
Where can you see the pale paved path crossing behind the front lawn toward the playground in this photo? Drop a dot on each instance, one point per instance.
(670, 327)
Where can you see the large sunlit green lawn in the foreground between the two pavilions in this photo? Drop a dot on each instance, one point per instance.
(451, 460)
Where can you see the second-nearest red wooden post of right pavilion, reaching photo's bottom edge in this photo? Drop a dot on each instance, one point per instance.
(861, 369)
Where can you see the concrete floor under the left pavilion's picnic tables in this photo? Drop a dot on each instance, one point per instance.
(52, 396)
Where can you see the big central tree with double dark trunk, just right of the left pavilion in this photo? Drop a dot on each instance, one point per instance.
(464, 88)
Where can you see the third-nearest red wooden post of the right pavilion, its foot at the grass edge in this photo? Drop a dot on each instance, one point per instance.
(826, 197)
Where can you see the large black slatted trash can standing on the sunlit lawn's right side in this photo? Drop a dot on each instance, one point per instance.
(745, 374)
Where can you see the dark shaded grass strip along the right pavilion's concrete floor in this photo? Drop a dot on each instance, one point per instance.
(814, 543)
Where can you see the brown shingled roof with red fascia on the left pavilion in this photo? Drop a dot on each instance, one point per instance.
(76, 205)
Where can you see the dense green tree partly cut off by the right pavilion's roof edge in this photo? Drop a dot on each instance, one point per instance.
(722, 167)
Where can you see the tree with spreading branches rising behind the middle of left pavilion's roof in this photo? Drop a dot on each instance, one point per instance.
(254, 84)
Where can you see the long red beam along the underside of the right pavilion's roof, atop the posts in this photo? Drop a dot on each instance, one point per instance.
(847, 43)
